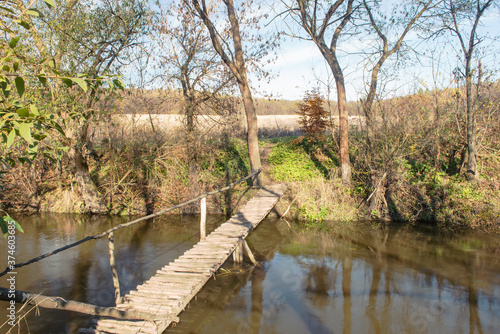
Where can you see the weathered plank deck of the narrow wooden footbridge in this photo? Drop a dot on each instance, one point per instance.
(166, 294)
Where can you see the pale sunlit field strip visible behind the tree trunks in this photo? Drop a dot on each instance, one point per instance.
(161, 121)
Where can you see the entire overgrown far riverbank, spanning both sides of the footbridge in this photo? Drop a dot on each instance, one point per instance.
(148, 171)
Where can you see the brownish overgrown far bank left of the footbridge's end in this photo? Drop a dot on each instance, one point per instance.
(136, 171)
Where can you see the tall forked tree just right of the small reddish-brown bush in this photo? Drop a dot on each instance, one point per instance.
(319, 18)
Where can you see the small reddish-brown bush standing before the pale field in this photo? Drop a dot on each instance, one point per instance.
(313, 117)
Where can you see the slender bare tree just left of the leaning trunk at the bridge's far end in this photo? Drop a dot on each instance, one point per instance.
(191, 64)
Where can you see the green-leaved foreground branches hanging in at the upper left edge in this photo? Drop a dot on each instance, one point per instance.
(24, 77)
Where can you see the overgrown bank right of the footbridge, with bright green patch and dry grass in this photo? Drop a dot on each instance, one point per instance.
(414, 192)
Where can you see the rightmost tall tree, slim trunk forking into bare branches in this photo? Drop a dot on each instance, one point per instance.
(462, 18)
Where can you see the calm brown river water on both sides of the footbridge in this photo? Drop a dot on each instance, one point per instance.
(355, 278)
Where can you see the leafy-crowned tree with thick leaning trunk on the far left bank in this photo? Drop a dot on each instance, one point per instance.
(92, 38)
